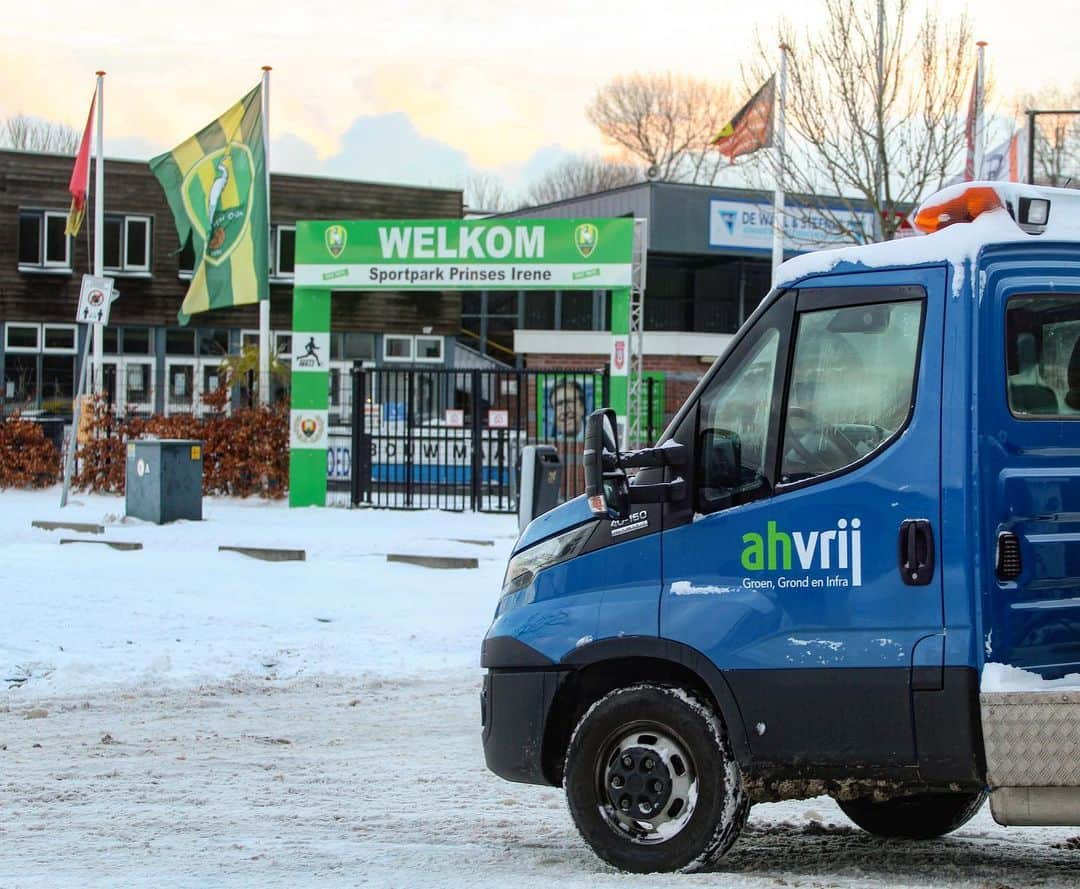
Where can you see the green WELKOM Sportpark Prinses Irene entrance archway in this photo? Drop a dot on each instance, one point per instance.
(445, 255)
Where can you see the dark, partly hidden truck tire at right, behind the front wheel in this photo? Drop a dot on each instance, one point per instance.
(923, 816)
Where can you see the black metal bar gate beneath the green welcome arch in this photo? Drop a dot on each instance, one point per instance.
(445, 439)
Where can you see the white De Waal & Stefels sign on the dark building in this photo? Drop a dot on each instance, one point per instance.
(741, 224)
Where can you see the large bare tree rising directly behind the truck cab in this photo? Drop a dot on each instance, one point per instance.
(885, 136)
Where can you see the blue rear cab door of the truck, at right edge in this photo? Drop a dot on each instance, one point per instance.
(1030, 448)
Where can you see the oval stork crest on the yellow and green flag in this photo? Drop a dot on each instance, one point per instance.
(219, 196)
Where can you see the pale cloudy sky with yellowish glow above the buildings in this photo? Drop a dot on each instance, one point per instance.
(418, 91)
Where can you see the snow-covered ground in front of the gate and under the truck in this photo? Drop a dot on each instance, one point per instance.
(183, 718)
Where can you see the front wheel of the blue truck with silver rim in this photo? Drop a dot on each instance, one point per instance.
(652, 782)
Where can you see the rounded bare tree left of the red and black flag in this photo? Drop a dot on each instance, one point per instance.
(665, 120)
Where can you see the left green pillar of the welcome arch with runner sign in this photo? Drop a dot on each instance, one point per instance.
(310, 400)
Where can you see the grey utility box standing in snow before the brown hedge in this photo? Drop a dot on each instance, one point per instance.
(164, 480)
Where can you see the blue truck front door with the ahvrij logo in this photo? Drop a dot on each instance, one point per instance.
(806, 569)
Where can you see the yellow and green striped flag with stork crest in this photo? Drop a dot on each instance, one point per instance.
(217, 187)
